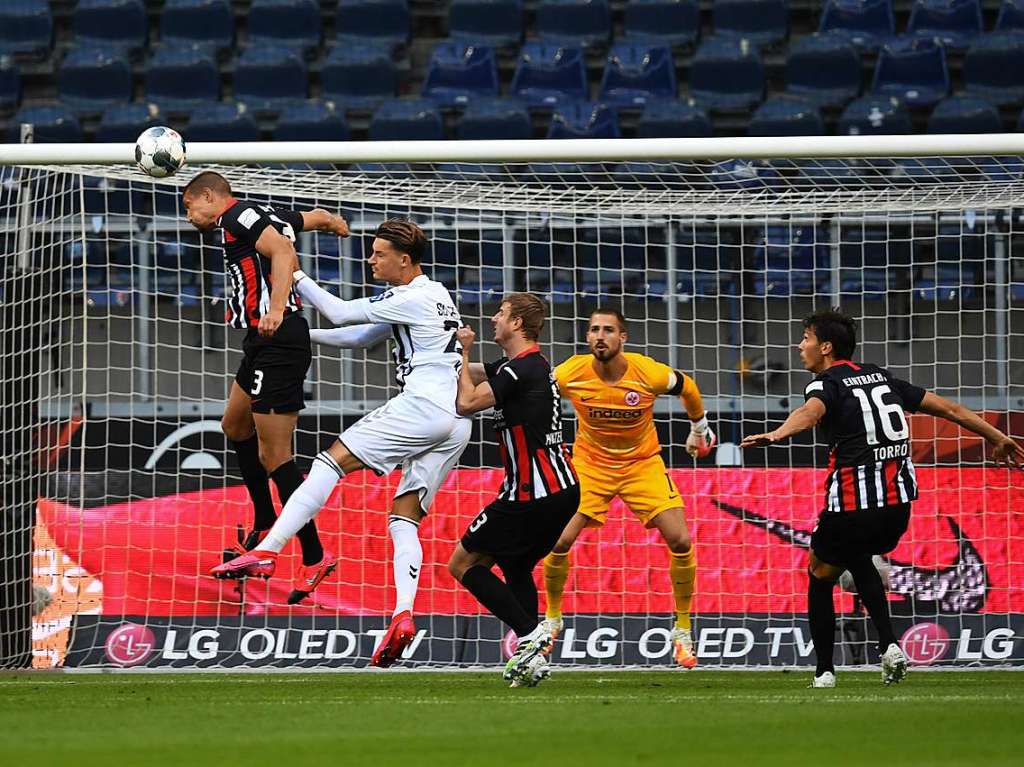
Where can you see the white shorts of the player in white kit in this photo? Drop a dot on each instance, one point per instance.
(411, 433)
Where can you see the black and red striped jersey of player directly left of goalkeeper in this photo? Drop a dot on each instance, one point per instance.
(529, 422)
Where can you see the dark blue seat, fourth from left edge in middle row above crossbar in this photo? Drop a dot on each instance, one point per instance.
(267, 77)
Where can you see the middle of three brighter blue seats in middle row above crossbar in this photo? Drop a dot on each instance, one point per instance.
(546, 75)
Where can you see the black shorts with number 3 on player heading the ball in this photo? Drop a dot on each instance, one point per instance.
(274, 369)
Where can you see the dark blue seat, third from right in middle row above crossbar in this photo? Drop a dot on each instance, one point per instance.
(824, 69)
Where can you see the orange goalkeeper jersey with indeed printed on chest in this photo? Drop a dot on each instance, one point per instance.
(616, 422)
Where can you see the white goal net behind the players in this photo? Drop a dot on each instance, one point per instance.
(121, 491)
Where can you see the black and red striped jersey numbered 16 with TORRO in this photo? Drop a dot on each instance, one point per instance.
(869, 436)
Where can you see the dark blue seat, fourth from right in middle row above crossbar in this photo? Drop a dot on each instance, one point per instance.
(728, 75)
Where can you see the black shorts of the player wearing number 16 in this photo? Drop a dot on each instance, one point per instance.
(843, 537)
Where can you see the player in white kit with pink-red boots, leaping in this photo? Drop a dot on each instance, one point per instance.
(418, 431)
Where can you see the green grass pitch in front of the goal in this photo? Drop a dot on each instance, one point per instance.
(576, 718)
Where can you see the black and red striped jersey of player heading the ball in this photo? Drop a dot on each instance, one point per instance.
(248, 271)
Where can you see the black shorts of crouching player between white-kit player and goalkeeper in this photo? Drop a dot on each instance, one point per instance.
(527, 531)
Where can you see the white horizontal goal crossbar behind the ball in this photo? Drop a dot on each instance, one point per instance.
(581, 150)
